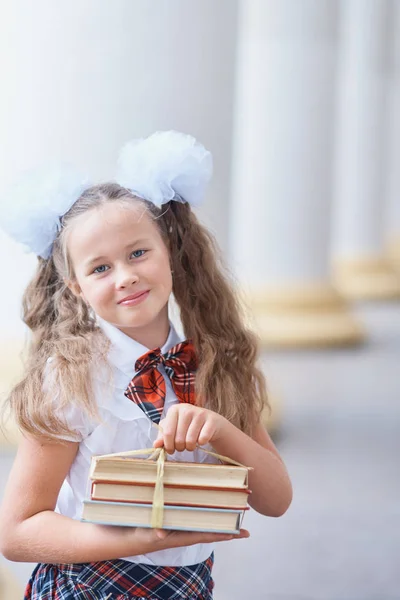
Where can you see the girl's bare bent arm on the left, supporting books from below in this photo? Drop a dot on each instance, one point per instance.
(31, 531)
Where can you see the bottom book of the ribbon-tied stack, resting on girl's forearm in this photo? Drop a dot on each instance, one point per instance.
(186, 518)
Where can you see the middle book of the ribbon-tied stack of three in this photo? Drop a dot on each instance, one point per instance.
(173, 494)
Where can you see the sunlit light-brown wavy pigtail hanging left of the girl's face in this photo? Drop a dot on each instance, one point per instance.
(63, 329)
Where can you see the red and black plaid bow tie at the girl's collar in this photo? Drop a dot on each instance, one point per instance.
(147, 388)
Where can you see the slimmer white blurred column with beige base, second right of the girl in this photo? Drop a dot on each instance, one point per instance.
(361, 271)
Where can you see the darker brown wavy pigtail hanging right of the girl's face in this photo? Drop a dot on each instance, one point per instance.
(228, 380)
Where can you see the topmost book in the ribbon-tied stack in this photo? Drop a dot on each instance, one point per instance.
(127, 469)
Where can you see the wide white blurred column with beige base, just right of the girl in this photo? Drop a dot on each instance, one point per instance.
(283, 148)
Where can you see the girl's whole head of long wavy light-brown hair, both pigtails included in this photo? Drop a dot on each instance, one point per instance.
(228, 380)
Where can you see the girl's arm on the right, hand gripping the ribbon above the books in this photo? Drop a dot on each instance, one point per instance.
(186, 425)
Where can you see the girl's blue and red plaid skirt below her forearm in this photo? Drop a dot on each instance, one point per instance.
(120, 580)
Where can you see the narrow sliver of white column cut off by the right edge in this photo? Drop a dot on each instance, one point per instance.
(393, 137)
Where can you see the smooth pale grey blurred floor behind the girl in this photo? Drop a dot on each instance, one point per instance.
(340, 438)
